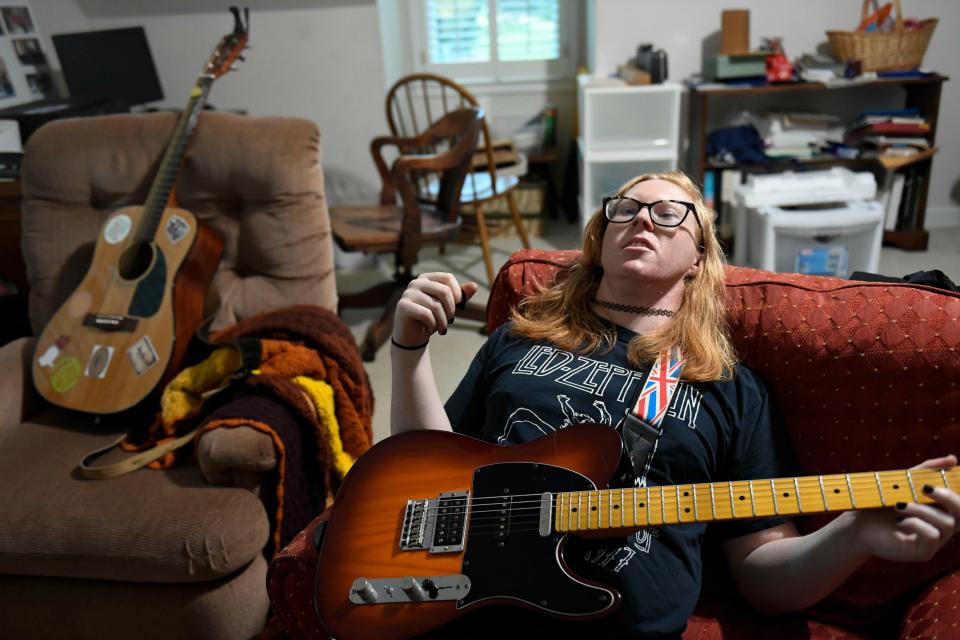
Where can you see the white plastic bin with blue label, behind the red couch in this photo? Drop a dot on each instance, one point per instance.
(834, 241)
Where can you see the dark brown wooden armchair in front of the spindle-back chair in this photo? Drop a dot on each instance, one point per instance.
(403, 229)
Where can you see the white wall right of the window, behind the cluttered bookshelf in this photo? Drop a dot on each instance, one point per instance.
(681, 26)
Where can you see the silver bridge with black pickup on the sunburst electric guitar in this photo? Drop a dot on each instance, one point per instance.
(437, 525)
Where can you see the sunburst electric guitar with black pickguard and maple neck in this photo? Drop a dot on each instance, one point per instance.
(430, 525)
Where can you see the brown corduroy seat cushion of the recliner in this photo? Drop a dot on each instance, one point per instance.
(56, 523)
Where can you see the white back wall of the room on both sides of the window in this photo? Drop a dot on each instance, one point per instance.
(323, 60)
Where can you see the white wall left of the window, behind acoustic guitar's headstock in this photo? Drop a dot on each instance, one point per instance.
(319, 60)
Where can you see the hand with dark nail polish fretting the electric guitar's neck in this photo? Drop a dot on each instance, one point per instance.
(917, 531)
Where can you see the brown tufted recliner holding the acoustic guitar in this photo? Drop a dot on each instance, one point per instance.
(152, 554)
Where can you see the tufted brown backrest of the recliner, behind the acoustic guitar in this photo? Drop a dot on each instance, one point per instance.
(257, 181)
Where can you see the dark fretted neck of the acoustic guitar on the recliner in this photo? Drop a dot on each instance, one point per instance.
(159, 195)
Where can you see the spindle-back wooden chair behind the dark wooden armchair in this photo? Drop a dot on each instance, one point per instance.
(414, 103)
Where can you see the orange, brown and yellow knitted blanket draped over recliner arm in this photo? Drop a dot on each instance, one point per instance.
(310, 394)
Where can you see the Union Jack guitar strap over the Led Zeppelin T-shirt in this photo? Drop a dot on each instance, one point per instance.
(642, 424)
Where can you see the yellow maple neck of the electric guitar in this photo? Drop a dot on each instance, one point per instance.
(610, 511)
